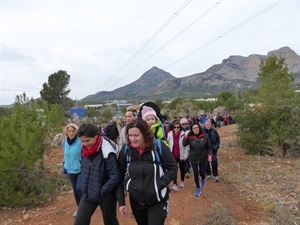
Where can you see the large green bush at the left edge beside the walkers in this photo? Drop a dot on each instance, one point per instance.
(23, 179)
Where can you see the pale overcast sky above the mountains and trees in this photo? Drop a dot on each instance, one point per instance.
(104, 45)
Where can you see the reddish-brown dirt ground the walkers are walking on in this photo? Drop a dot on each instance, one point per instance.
(247, 185)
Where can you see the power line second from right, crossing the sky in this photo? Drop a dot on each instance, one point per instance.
(176, 36)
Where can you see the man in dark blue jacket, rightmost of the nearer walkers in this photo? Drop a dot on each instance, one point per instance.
(215, 143)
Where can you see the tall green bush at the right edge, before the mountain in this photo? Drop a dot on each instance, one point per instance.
(266, 124)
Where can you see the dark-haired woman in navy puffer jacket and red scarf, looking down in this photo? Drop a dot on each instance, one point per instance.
(100, 176)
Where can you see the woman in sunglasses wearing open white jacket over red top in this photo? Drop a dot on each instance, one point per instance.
(179, 152)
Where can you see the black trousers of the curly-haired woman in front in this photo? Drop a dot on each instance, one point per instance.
(150, 215)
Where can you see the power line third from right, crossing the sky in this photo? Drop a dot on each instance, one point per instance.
(182, 7)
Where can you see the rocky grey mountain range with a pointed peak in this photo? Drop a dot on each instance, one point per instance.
(234, 73)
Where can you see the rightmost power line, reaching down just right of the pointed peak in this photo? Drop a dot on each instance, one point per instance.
(226, 32)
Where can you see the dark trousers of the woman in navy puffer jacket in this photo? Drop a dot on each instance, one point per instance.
(108, 206)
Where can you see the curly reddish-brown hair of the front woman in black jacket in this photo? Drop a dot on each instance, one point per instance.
(142, 125)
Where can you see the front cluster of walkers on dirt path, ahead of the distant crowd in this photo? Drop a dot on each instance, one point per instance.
(143, 166)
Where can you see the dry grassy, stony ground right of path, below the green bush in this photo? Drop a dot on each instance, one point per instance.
(273, 182)
